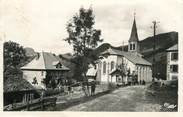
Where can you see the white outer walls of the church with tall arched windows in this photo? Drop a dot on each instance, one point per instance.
(143, 72)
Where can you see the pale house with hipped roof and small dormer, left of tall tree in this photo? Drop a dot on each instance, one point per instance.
(45, 71)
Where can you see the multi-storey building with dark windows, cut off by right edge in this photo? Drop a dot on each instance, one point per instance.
(172, 62)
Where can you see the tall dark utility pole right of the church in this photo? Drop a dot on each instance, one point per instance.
(154, 47)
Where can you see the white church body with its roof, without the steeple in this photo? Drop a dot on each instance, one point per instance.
(110, 66)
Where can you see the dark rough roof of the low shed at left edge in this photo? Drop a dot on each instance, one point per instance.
(17, 84)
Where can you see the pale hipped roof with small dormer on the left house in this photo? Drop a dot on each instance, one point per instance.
(45, 61)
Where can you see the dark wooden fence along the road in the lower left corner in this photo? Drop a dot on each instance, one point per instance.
(37, 104)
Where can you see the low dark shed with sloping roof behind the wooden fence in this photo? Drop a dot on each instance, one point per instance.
(18, 90)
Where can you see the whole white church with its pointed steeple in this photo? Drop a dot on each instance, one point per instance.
(118, 66)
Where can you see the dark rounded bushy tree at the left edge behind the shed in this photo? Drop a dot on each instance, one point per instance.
(14, 58)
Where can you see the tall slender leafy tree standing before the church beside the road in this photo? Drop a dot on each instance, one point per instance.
(84, 37)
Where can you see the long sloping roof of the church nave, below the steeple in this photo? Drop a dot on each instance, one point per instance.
(134, 58)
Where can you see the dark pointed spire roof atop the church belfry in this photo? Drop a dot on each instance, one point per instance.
(134, 34)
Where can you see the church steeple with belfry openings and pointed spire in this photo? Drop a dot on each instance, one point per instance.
(133, 45)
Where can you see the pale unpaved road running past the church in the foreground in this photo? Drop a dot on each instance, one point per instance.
(131, 98)
